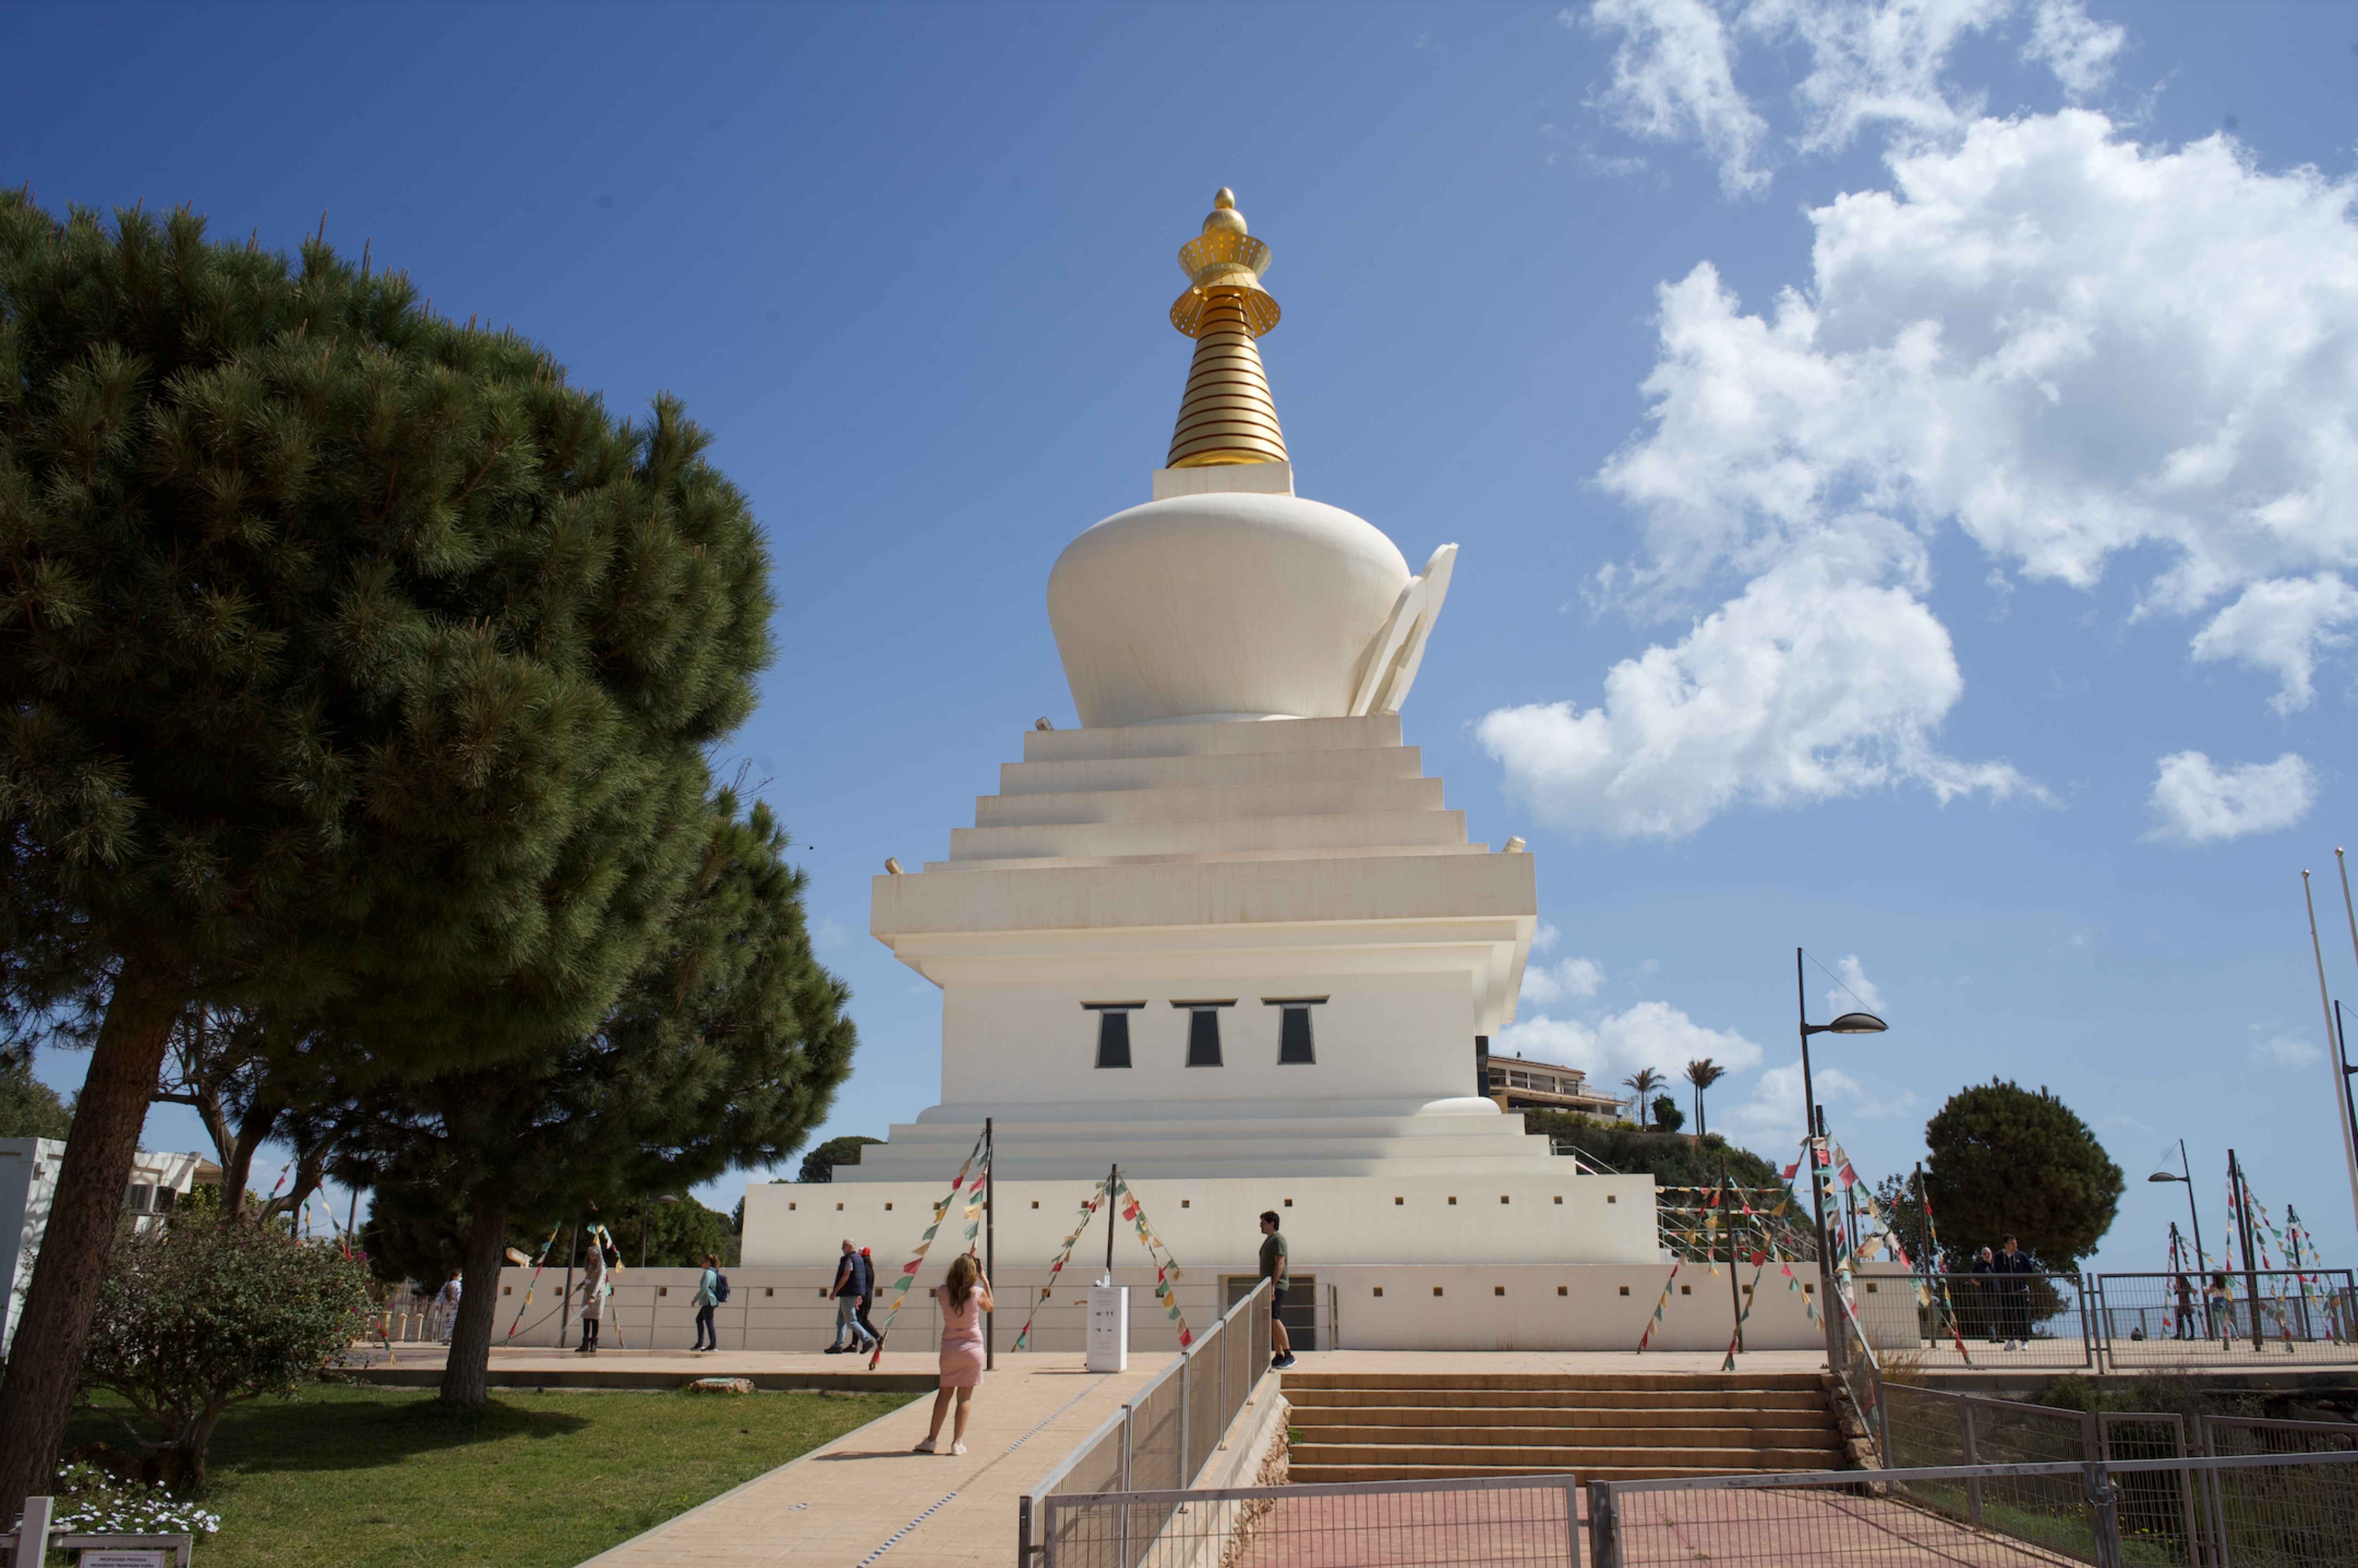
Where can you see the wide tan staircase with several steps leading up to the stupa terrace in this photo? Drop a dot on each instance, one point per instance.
(1605, 1428)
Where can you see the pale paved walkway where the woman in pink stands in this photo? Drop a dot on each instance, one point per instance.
(867, 1501)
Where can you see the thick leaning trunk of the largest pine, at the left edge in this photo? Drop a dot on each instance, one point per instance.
(91, 1182)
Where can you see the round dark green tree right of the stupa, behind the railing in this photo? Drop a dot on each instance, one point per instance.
(2008, 1161)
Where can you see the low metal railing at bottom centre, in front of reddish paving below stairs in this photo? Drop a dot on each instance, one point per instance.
(1503, 1520)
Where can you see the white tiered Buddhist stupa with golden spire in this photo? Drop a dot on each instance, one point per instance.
(1230, 937)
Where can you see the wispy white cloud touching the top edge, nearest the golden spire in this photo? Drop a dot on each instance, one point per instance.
(1673, 81)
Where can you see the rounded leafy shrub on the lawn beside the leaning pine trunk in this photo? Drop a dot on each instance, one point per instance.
(206, 1315)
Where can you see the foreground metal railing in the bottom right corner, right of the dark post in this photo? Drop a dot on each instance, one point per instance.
(2204, 1513)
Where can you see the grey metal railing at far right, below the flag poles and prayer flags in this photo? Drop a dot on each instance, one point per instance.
(2272, 1315)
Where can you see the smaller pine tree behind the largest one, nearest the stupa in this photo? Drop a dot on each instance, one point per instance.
(723, 1053)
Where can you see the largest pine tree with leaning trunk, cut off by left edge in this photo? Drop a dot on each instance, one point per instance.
(353, 666)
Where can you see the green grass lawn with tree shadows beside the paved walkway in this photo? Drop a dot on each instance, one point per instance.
(383, 1477)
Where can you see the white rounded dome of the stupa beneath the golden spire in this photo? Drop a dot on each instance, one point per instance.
(1223, 607)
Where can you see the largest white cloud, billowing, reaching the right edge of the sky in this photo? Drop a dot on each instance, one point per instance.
(2064, 343)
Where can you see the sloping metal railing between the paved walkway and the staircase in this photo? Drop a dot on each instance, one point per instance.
(1161, 1439)
